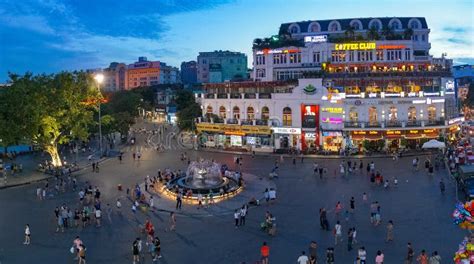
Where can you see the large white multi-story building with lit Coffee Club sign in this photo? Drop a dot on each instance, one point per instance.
(374, 84)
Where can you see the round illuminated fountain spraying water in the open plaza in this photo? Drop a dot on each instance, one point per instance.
(204, 177)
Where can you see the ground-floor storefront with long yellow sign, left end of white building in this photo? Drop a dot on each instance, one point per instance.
(233, 136)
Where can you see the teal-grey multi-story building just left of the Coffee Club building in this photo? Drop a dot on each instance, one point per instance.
(221, 66)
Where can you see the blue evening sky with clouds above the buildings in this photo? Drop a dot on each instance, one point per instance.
(53, 35)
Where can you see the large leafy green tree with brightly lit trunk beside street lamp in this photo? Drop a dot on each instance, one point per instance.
(54, 108)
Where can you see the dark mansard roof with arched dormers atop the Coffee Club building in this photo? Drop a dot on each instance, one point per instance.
(346, 21)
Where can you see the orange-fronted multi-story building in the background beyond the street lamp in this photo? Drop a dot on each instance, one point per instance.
(143, 73)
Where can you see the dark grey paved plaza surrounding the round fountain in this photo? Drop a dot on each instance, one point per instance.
(420, 213)
